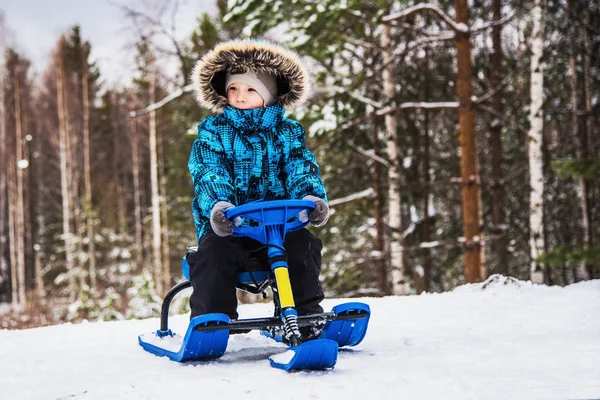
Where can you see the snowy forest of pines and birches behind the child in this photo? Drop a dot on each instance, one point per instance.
(456, 139)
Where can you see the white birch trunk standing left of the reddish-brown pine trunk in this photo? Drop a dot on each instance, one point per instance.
(395, 211)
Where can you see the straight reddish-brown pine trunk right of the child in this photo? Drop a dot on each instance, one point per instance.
(468, 149)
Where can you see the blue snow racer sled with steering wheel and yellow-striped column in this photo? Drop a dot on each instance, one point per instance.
(207, 335)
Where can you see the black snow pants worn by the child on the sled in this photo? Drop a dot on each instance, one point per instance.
(214, 268)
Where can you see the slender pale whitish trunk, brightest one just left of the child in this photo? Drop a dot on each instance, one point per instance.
(156, 229)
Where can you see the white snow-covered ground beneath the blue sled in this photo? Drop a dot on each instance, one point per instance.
(511, 340)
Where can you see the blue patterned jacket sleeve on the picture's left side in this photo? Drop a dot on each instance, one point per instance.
(210, 170)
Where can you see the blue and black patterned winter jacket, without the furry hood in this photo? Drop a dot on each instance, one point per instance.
(242, 156)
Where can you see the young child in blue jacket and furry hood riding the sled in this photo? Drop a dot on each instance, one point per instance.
(248, 152)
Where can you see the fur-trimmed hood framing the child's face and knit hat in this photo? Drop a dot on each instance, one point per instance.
(209, 73)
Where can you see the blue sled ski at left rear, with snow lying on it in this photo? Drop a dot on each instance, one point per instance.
(195, 345)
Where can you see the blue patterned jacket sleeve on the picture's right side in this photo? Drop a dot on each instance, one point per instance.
(303, 176)
